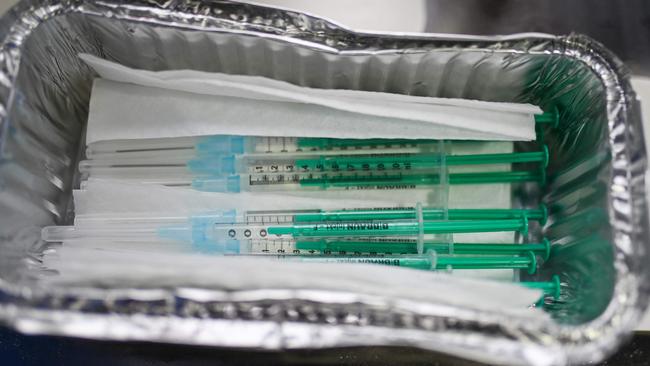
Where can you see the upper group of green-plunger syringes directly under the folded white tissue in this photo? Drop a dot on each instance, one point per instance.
(242, 163)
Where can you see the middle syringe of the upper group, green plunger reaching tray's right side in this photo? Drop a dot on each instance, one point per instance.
(225, 164)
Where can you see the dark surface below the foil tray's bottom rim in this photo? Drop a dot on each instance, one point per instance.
(17, 349)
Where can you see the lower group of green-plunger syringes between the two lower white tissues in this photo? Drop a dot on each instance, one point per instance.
(405, 237)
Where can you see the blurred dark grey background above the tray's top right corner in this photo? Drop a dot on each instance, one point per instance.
(621, 25)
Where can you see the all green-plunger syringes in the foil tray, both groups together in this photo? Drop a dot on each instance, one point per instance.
(420, 236)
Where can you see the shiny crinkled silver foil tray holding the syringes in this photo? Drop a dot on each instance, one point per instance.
(598, 211)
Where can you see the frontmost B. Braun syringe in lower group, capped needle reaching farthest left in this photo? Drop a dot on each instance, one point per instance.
(225, 235)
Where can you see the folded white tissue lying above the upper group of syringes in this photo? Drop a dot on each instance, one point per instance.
(130, 104)
